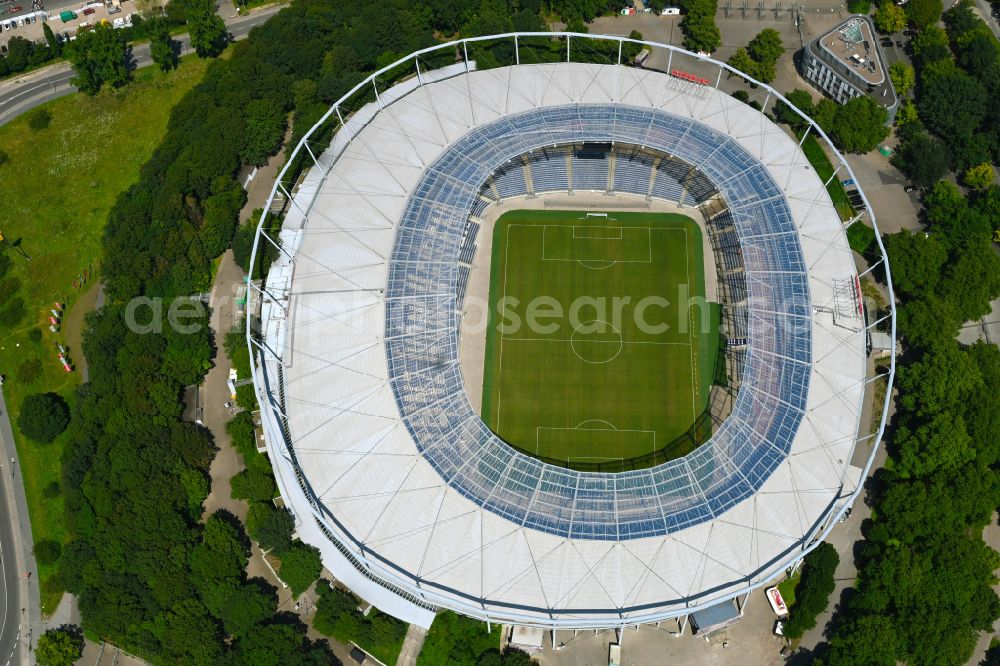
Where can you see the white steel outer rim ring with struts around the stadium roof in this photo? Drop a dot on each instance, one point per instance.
(270, 397)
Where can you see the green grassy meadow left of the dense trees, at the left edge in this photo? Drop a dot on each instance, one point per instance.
(58, 185)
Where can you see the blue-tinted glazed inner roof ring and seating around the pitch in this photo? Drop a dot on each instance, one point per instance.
(426, 285)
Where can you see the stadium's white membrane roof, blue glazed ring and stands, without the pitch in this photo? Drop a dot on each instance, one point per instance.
(413, 502)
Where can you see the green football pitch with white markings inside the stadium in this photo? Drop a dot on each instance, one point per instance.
(600, 349)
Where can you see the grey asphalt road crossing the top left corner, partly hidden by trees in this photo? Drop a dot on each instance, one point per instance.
(36, 88)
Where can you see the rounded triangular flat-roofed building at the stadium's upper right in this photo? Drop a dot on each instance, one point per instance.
(846, 63)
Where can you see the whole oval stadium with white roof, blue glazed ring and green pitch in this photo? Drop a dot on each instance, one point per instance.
(379, 399)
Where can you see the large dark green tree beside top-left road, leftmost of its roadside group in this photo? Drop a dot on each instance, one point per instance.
(98, 58)
